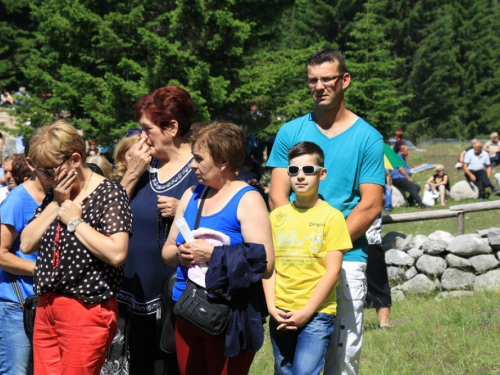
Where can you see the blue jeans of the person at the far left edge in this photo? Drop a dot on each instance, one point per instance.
(15, 348)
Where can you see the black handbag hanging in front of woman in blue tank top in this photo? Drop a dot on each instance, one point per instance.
(211, 315)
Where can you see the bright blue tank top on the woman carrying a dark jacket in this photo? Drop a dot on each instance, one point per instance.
(224, 221)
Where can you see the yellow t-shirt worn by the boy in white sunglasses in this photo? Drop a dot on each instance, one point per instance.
(301, 238)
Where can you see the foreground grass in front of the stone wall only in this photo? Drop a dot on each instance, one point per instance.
(447, 337)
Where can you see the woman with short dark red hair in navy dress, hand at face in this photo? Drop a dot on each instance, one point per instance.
(158, 173)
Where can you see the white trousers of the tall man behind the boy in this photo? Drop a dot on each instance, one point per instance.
(344, 351)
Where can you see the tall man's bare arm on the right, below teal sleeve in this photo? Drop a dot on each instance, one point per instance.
(363, 215)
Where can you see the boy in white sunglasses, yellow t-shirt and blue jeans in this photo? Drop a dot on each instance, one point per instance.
(309, 239)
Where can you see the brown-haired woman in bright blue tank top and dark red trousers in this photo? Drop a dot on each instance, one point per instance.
(237, 213)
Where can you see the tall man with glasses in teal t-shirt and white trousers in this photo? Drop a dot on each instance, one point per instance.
(354, 158)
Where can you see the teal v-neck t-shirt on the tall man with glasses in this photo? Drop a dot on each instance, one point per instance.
(354, 157)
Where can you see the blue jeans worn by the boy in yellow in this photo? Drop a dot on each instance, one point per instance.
(302, 351)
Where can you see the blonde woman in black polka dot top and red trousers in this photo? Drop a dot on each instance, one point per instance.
(81, 231)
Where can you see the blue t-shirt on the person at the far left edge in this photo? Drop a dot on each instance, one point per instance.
(17, 210)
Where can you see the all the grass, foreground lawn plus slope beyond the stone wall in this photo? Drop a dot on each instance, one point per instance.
(429, 337)
